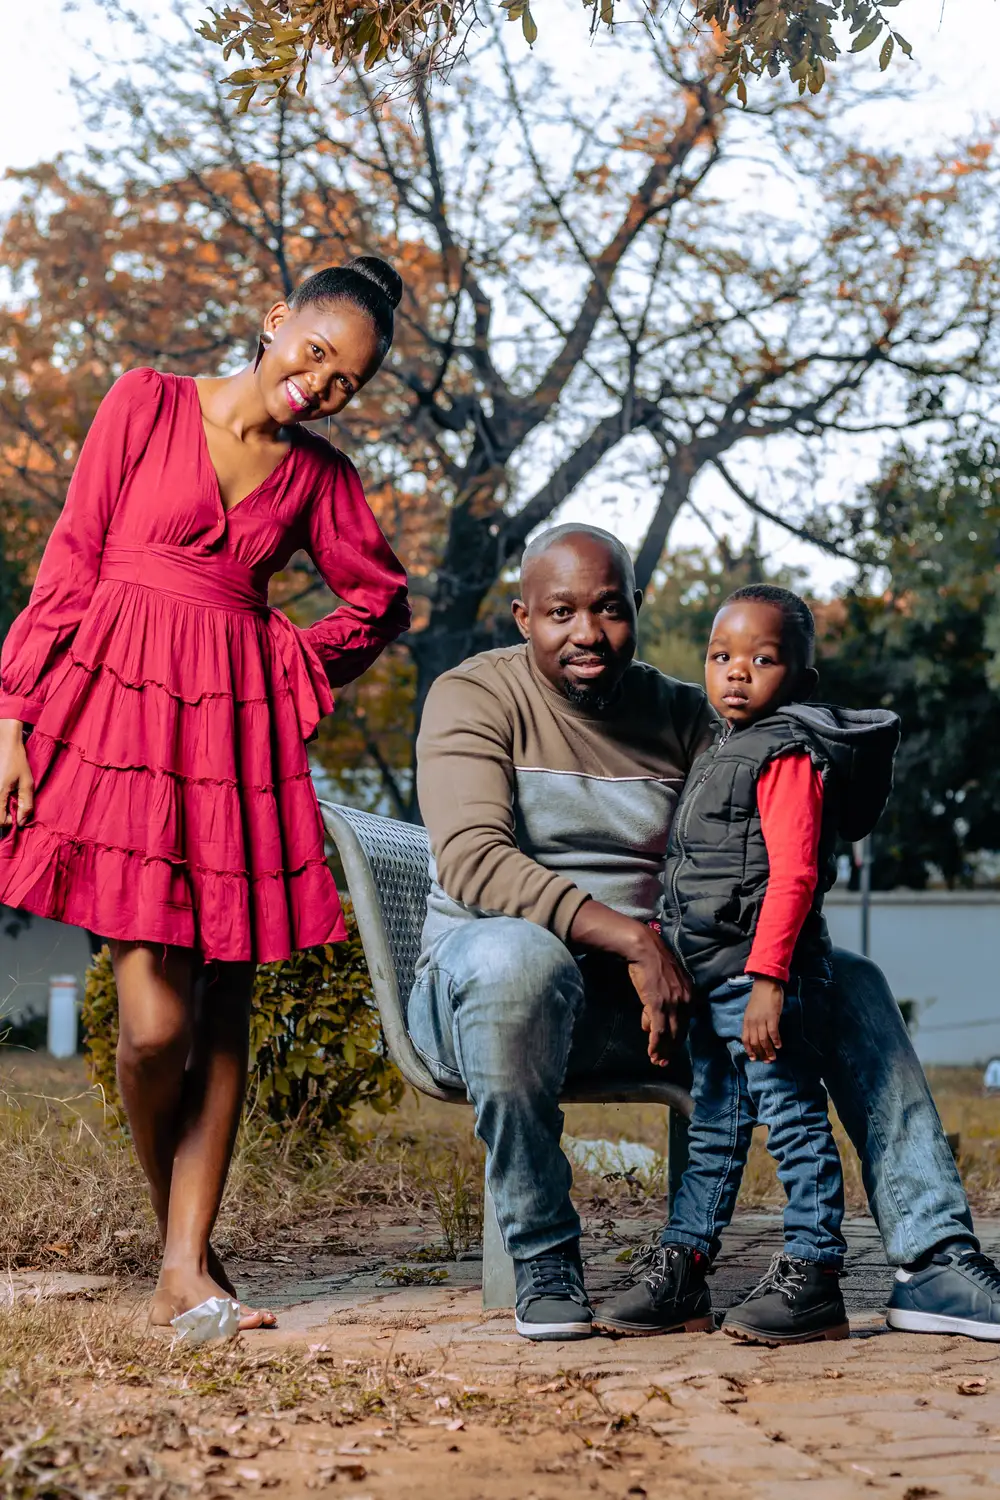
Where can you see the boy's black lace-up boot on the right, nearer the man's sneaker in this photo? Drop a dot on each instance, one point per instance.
(798, 1303)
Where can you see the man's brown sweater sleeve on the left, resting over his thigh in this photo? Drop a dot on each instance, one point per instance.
(466, 788)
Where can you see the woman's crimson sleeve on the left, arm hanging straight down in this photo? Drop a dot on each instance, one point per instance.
(71, 566)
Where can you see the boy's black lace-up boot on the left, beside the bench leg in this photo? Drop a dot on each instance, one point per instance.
(671, 1297)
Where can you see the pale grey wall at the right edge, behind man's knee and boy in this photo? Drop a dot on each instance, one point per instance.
(941, 950)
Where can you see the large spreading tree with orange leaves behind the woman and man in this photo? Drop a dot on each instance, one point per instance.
(591, 304)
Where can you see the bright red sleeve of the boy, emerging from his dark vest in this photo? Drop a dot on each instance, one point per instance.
(791, 803)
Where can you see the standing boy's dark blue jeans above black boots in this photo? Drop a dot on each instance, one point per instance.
(732, 1093)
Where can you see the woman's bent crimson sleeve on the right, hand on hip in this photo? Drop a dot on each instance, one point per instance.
(359, 566)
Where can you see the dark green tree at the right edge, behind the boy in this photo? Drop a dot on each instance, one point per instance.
(927, 649)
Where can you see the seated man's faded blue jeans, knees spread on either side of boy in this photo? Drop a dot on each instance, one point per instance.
(503, 1009)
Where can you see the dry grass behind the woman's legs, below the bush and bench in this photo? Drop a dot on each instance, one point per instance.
(73, 1195)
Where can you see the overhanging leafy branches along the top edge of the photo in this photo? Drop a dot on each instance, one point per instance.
(403, 46)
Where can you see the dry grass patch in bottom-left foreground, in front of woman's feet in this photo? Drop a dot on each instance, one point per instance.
(92, 1406)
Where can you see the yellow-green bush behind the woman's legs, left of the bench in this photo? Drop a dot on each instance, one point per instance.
(317, 1048)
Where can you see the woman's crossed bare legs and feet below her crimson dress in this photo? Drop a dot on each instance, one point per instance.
(182, 1070)
